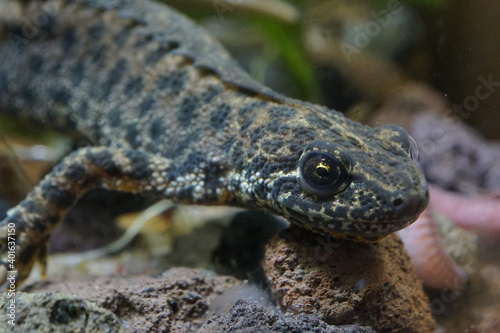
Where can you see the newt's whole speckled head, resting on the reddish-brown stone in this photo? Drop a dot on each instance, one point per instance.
(341, 177)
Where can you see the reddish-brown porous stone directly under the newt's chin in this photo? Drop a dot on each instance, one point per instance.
(341, 282)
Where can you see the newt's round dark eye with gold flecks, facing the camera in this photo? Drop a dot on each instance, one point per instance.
(322, 174)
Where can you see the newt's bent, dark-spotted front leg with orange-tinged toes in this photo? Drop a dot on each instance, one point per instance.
(25, 231)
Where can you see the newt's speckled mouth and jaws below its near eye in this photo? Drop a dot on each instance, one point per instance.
(368, 216)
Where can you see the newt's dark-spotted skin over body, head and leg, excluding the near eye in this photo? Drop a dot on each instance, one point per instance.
(170, 114)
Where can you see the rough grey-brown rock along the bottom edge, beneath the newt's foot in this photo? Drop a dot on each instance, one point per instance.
(179, 300)
